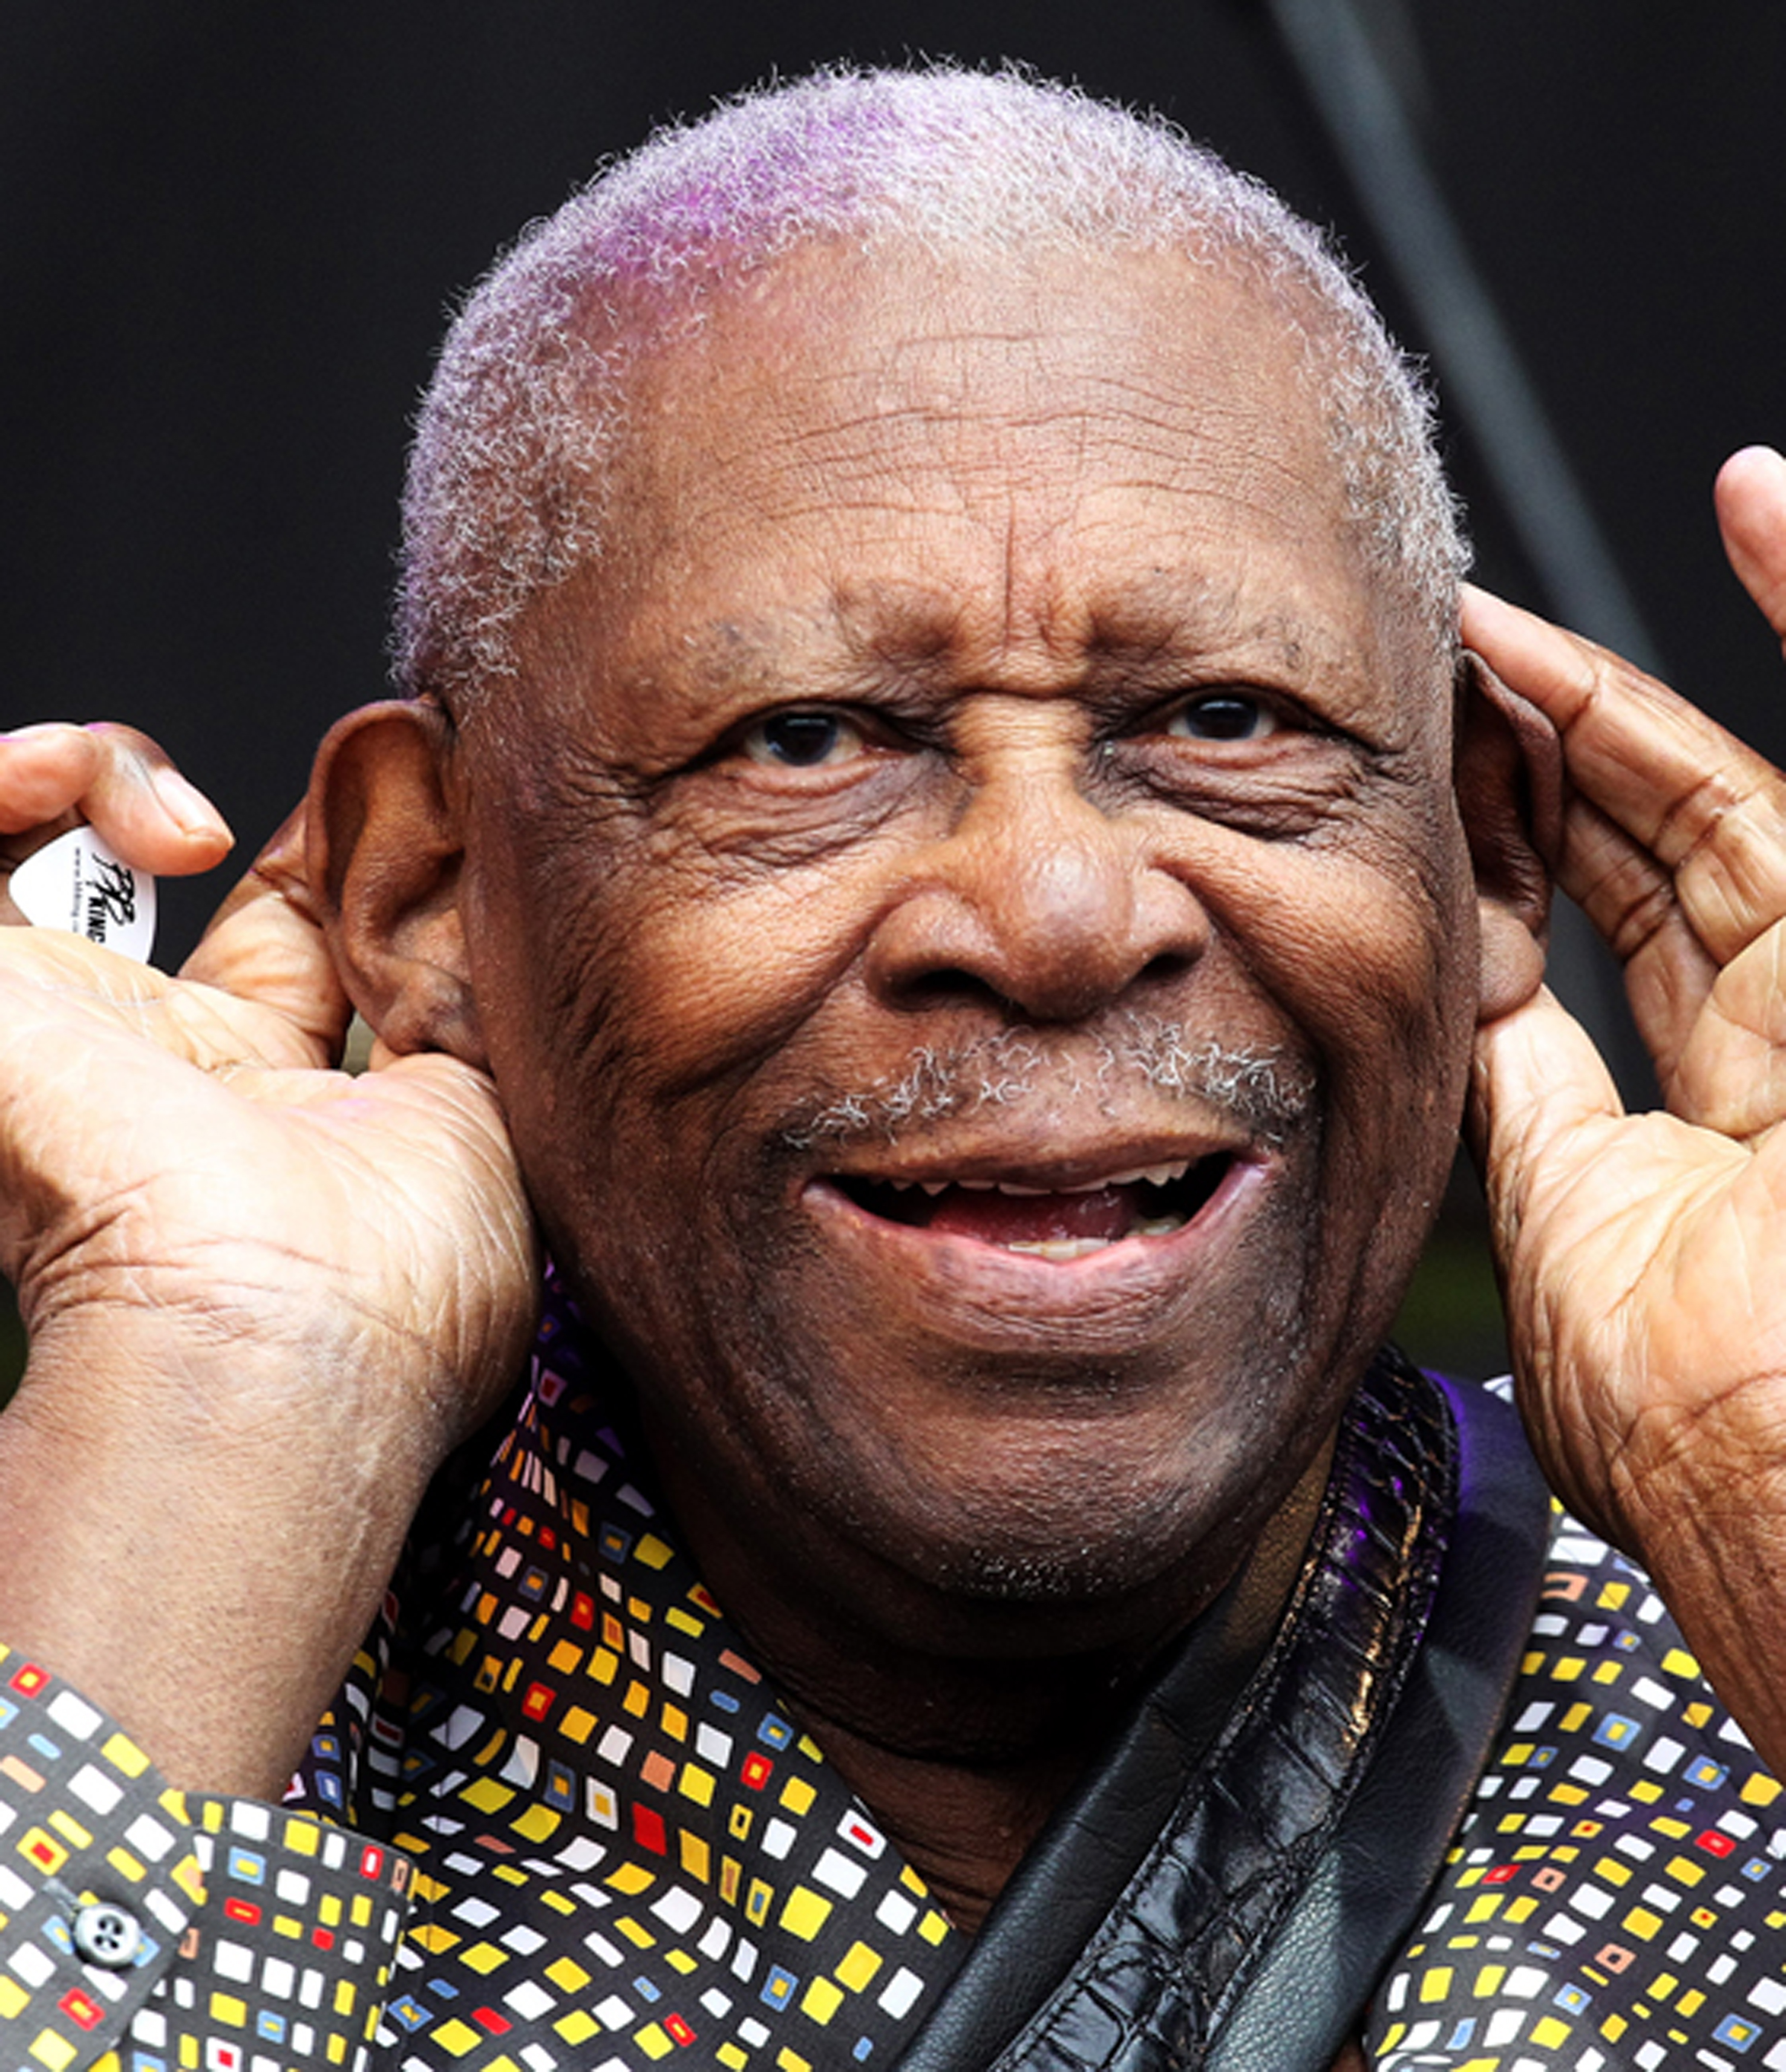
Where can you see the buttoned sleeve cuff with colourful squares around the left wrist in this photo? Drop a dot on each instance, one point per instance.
(264, 1940)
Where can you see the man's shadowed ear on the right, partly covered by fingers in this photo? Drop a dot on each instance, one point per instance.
(1509, 790)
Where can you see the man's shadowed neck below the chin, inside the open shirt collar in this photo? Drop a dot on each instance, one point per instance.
(964, 1758)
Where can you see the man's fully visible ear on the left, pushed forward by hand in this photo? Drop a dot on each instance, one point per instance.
(384, 857)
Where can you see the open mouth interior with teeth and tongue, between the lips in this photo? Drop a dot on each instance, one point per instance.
(1049, 1226)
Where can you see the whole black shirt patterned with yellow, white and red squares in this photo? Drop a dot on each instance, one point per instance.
(558, 1820)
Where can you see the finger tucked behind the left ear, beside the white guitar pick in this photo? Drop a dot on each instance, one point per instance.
(266, 944)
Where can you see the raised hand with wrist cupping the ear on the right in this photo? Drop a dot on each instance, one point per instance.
(1644, 1257)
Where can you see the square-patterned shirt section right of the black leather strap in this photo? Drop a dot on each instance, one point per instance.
(1617, 1895)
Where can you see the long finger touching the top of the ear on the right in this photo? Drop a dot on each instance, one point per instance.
(1710, 811)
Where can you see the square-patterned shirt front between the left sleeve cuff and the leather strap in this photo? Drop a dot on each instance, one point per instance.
(627, 1851)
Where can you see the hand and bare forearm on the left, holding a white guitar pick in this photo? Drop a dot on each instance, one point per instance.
(264, 1298)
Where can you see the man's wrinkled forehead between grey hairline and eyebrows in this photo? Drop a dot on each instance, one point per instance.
(1049, 380)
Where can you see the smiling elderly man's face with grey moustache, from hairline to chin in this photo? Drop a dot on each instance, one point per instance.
(973, 927)
